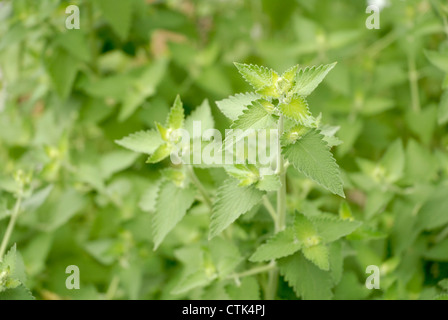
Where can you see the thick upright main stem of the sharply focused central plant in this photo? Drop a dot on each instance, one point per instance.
(271, 290)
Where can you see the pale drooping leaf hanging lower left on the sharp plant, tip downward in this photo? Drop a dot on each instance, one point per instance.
(172, 204)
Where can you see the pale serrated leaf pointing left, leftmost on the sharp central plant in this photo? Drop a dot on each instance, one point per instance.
(141, 141)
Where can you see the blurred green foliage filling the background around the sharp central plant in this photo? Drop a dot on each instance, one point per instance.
(67, 95)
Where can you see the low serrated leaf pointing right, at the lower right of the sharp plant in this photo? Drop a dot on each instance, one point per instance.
(332, 229)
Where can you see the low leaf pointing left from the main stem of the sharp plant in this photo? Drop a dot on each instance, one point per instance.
(278, 246)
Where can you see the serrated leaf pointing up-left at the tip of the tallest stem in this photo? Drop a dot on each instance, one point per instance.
(258, 77)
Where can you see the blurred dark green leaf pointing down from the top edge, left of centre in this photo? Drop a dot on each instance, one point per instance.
(118, 14)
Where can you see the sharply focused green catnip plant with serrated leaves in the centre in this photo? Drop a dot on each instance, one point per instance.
(299, 242)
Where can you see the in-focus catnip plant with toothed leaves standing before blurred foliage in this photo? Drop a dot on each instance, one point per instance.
(302, 247)
